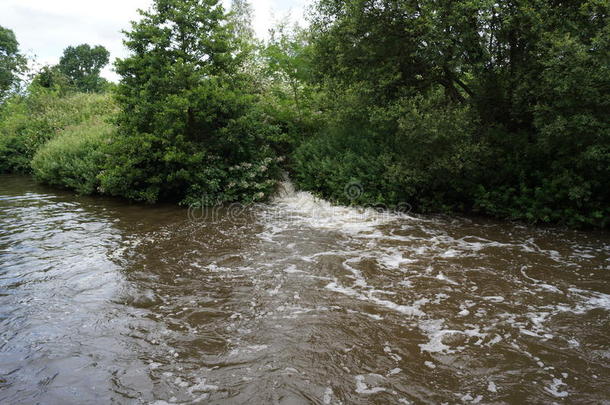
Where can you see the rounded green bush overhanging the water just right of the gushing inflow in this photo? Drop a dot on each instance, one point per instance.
(418, 150)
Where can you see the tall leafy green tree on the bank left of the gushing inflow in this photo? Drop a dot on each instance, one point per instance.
(186, 126)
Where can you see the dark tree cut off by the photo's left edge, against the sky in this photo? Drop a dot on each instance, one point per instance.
(12, 63)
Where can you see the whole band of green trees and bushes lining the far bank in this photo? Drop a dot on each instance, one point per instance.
(477, 106)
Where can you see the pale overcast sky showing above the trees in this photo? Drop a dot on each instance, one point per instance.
(45, 27)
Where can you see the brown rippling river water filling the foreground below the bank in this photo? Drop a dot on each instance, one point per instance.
(294, 302)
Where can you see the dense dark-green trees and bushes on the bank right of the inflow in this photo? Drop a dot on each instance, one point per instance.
(523, 132)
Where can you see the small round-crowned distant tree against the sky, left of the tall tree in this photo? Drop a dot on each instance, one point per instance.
(82, 65)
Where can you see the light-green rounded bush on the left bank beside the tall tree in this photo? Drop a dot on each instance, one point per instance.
(75, 157)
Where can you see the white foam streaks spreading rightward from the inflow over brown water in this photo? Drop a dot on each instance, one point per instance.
(364, 242)
